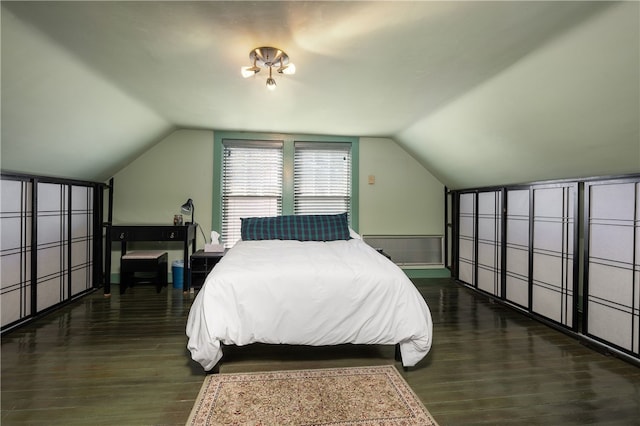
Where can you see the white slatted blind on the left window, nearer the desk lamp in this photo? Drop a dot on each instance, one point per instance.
(251, 184)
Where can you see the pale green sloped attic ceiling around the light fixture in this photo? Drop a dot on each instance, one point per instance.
(481, 93)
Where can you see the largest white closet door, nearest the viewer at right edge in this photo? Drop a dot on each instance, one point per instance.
(612, 299)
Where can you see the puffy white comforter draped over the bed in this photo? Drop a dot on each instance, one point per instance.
(307, 293)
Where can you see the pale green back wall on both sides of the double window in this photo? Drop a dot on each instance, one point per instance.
(405, 199)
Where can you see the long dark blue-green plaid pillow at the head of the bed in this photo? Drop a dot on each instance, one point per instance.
(296, 227)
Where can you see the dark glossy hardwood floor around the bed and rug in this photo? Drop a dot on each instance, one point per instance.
(122, 361)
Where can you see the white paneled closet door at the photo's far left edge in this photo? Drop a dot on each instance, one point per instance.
(15, 257)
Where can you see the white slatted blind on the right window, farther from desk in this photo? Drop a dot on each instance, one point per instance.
(322, 178)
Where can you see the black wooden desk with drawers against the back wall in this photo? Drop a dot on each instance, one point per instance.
(126, 233)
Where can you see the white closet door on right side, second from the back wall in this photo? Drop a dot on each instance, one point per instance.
(490, 242)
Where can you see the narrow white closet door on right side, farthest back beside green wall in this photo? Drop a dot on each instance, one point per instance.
(466, 238)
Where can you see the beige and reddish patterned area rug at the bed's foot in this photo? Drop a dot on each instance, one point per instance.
(332, 396)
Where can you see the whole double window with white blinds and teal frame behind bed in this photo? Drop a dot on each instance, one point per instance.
(261, 174)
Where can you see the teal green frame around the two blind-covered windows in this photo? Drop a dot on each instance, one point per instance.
(288, 153)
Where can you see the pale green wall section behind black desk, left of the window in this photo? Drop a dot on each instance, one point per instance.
(152, 188)
